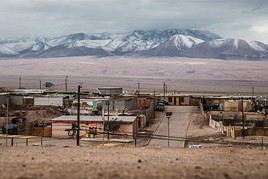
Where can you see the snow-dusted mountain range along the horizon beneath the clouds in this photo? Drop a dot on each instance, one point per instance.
(152, 43)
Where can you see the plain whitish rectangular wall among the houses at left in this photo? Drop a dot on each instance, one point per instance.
(48, 101)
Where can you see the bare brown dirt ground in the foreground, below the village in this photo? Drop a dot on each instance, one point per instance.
(65, 160)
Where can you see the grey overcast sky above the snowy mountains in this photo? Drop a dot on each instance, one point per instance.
(247, 19)
